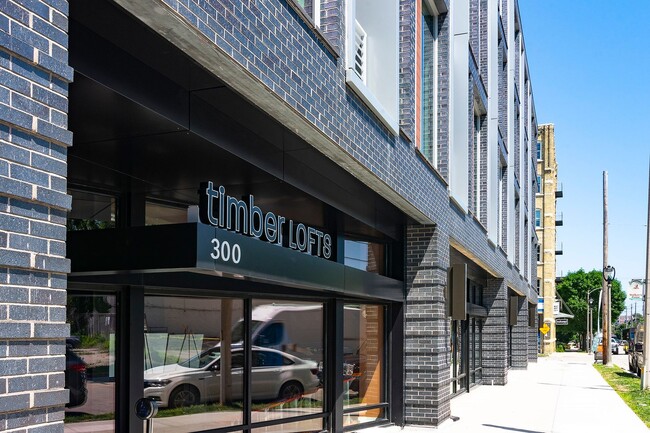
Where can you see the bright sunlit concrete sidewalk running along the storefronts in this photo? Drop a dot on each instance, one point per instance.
(562, 393)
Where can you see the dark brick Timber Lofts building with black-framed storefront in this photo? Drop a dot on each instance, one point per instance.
(321, 208)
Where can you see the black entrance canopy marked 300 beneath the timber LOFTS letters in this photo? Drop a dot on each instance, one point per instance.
(142, 253)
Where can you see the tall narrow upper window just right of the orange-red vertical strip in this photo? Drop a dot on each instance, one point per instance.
(429, 84)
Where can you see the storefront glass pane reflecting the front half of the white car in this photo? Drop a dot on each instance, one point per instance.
(193, 367)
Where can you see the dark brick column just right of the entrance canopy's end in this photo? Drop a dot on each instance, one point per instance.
(426, 357)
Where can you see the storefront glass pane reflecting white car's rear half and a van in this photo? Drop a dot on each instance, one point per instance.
(286, 379)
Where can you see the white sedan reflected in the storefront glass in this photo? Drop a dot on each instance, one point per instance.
(275, 375)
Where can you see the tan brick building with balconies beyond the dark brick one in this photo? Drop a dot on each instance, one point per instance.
(546, 221)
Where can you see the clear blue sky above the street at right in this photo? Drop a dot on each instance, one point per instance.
(589, 64)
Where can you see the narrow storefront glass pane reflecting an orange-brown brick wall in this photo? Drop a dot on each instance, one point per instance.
(363, 369)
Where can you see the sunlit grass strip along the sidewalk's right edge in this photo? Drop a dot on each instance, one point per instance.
(628, 386)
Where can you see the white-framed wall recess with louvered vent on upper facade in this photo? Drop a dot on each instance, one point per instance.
(372, 56)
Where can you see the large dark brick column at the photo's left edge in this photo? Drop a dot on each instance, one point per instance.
(33, 204)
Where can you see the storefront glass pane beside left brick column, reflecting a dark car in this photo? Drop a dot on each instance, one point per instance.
(90, 363)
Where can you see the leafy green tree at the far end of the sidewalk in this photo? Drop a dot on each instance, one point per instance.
(573, 289)
